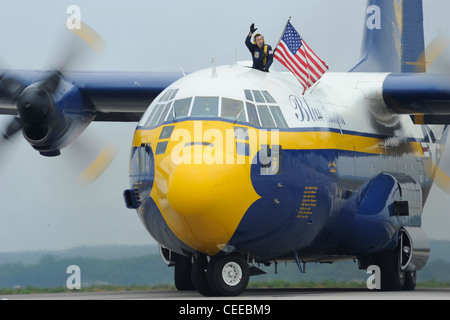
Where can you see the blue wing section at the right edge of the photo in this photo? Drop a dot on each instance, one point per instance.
(424, 96)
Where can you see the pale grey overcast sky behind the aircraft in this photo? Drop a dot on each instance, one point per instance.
(42, 206)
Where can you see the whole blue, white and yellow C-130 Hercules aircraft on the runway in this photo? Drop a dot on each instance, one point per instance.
(232, 167)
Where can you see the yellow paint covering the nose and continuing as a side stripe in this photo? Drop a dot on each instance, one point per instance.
(203, 187)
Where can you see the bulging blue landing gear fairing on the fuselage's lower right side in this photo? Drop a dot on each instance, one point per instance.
(384, 206)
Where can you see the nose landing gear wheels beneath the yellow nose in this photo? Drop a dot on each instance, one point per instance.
(223, 275)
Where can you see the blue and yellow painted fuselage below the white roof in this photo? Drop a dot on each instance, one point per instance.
(213, 184)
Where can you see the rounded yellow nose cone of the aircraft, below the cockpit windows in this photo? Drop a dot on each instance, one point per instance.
(203, 203)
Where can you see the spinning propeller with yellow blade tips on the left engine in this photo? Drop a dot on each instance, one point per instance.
(35, 104)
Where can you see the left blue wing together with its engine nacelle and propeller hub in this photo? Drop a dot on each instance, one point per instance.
(52, 109)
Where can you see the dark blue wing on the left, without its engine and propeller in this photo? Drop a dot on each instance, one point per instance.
(110, 96)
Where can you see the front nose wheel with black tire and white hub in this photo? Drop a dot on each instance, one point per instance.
(228, 275)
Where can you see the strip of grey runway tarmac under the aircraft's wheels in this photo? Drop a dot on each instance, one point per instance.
(248, 295)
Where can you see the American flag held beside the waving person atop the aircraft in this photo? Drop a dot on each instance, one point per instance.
(293, 52)
